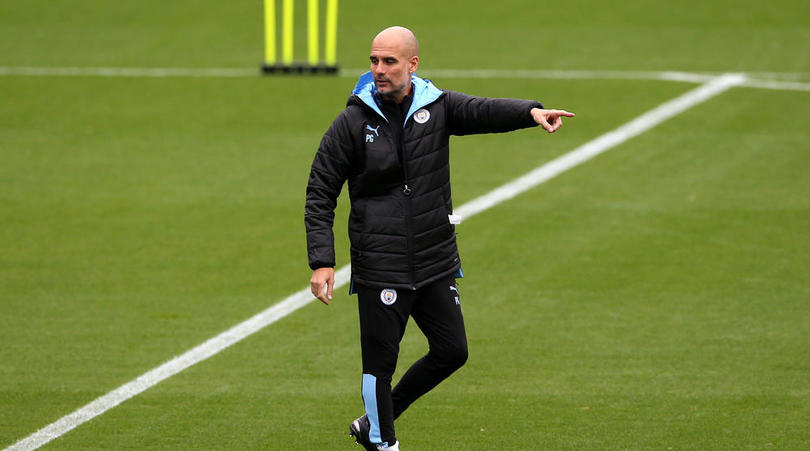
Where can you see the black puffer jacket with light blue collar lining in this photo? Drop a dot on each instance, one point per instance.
(398, 226)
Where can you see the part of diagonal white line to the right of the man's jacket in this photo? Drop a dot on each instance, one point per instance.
(601, 144)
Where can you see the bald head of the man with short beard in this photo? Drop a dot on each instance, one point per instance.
(394, 58)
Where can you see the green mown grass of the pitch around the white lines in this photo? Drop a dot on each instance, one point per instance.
(656, 297)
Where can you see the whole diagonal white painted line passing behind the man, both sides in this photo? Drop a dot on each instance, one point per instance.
(301, 298)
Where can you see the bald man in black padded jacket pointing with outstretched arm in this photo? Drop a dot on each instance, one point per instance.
(391, 144)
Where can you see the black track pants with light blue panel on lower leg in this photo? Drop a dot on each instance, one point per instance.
(383, 316)
